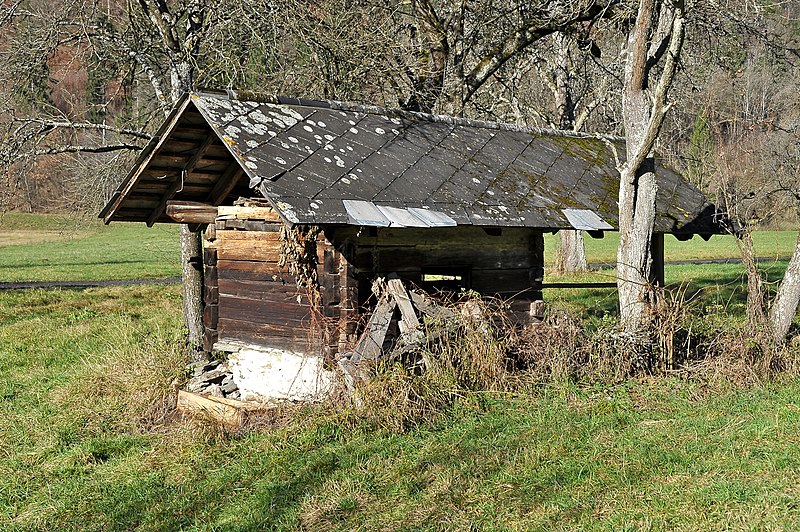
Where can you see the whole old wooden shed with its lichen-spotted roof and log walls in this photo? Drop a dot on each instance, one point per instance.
(339, 194)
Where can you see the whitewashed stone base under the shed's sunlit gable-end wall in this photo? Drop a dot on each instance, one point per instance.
(266, 374)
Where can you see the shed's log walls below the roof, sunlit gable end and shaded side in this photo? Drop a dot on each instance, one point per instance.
(250, 298)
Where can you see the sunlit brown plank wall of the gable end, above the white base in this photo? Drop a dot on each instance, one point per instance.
(250, 297)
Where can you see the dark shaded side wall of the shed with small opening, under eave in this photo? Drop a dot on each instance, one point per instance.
(509, 262)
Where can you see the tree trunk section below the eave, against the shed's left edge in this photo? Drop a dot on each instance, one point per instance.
(192, 269)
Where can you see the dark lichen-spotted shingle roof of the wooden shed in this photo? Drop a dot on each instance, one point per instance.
(323, 162)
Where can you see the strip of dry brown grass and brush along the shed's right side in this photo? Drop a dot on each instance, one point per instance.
(482, 352)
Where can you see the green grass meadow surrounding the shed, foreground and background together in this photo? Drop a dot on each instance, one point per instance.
(89, 439)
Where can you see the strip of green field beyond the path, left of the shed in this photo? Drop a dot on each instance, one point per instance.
(60, 248)
